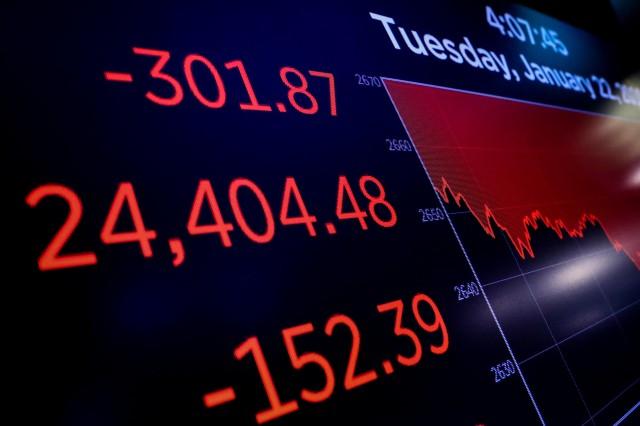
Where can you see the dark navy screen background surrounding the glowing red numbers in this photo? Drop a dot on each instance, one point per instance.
(136, 341)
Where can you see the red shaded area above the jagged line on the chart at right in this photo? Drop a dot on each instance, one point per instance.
(524, 164)
